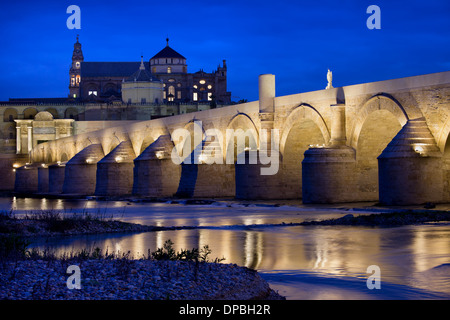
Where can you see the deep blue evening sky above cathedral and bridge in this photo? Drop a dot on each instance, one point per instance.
(295, 40)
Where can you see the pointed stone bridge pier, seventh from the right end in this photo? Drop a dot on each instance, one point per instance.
(81, 171)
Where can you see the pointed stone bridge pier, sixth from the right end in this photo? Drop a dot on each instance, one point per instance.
(115, 171)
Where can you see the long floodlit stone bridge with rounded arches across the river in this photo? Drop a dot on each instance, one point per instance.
(384, 141)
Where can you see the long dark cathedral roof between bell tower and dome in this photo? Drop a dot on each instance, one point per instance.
(110, 69)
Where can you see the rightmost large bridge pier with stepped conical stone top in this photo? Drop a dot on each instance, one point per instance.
(410, 169)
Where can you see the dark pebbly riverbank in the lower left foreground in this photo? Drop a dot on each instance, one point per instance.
(132, 280)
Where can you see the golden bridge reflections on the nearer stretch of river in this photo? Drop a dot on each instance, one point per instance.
(402, 253)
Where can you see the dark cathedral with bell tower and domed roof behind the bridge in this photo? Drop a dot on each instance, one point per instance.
(105, 81)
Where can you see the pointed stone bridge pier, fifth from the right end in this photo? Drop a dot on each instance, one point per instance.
(155, 174)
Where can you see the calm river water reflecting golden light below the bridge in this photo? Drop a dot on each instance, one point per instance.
(301, 262)
